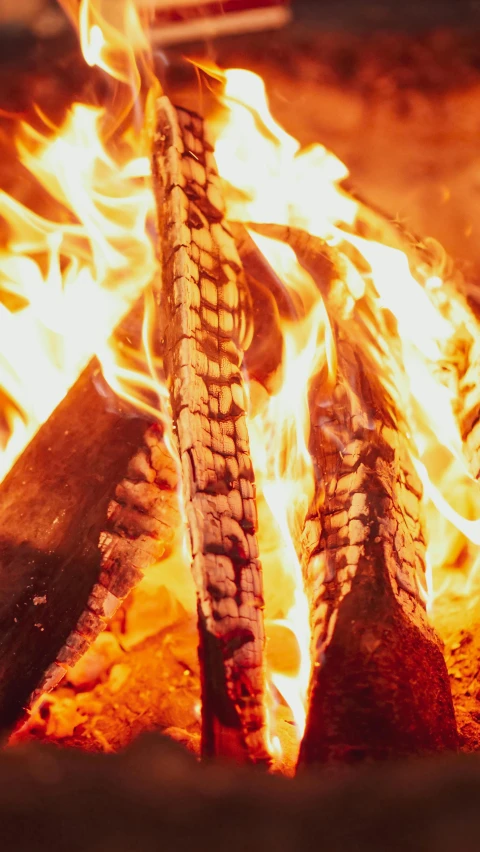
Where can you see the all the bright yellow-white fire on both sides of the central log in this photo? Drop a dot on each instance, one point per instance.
(66, 281)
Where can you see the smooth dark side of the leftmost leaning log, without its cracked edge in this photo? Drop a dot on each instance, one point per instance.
(53, 507)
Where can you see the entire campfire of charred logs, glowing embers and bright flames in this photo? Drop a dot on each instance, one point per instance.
(242, 385)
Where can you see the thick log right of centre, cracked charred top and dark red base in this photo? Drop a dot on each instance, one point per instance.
(379, 684)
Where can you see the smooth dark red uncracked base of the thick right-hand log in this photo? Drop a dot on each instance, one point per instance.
(383, 689)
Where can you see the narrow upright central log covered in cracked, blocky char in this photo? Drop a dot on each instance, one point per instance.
(204, 305)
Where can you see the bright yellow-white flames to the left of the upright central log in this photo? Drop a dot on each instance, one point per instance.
(66, 281)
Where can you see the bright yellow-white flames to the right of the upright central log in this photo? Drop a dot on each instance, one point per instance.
(269, 178)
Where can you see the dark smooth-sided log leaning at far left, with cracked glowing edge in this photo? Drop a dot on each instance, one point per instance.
(57, 587)
